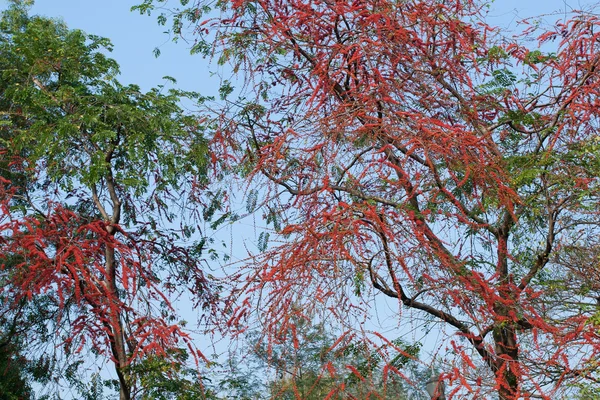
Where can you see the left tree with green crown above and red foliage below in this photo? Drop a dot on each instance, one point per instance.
(92, 175)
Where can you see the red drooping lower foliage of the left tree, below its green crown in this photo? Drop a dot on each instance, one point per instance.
(61, 256)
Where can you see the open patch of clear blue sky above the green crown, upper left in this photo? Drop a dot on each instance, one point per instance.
(134, 37)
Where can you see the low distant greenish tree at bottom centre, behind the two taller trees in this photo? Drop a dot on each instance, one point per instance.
(315, 365)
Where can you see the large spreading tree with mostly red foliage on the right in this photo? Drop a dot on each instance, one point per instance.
(408, 149)
